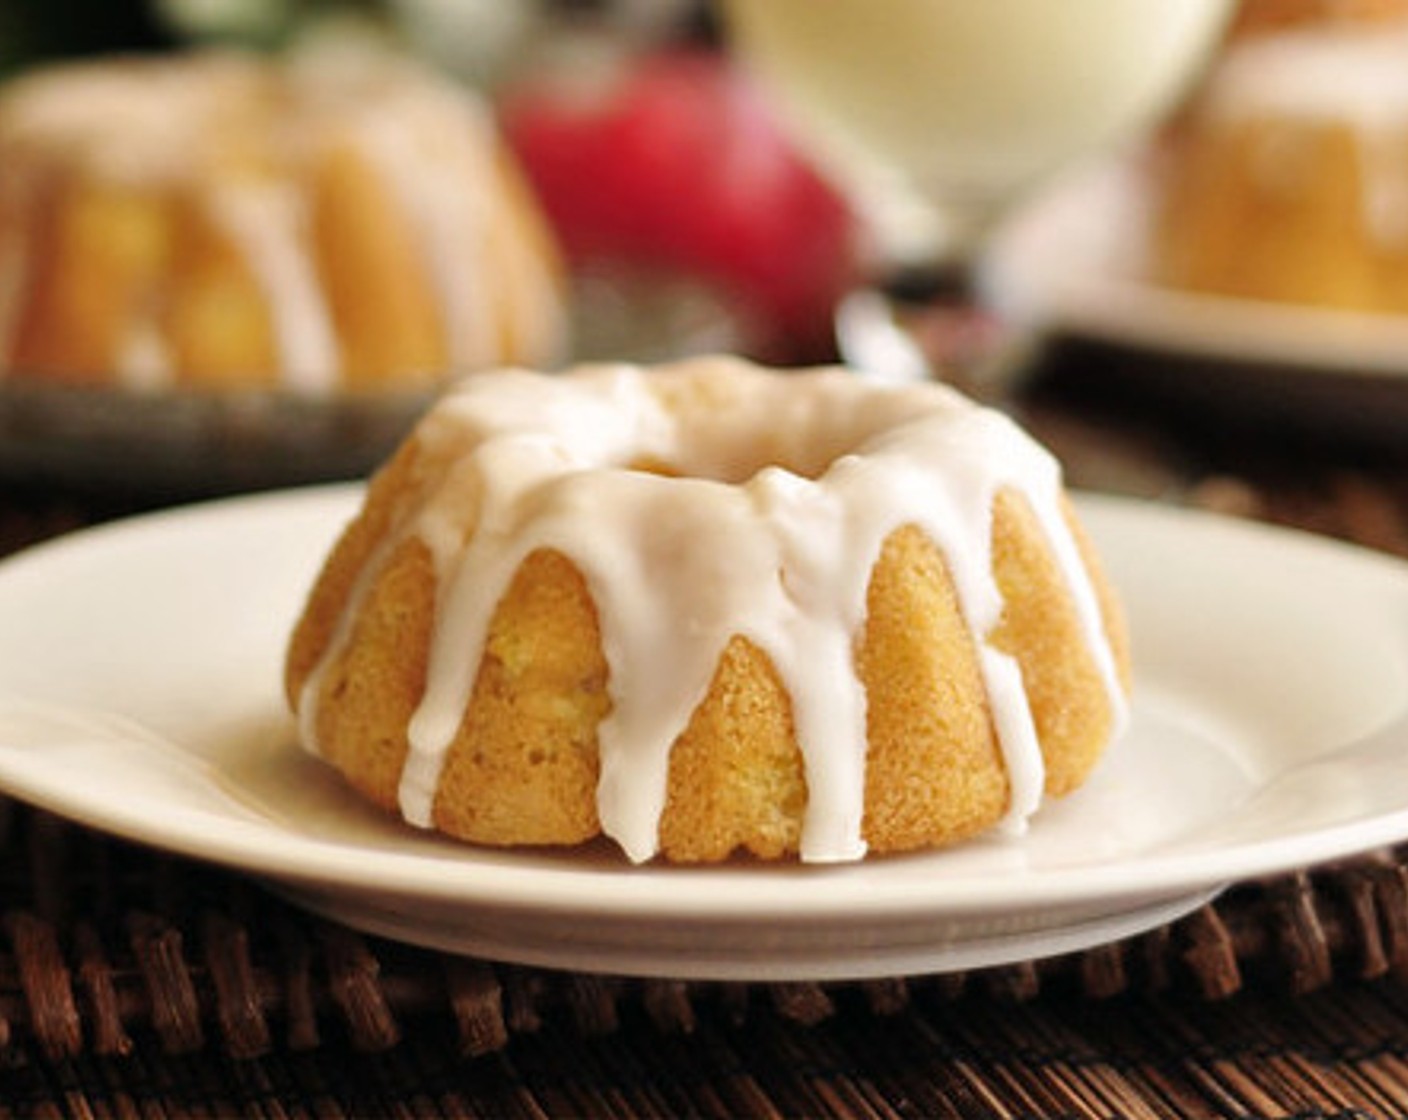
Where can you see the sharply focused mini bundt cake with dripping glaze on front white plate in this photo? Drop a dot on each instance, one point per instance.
(709, 608)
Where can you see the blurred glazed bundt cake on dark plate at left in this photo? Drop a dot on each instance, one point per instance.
(216, 219)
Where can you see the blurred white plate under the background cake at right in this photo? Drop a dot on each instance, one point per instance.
(1074, 261)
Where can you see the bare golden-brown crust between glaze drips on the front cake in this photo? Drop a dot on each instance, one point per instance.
(524, 767)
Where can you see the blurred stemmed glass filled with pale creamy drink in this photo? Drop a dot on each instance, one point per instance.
(938, 116)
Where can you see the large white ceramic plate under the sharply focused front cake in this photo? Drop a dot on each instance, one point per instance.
(140, 680)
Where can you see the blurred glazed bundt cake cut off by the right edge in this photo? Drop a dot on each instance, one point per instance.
(1288, 181)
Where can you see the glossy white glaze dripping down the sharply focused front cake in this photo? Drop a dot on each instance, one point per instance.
(786, 490)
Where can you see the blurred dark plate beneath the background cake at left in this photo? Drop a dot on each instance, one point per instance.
(172, 443)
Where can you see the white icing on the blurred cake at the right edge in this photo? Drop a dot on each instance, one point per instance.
(1350, 75)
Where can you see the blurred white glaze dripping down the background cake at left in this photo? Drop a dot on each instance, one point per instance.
(241, 143)
